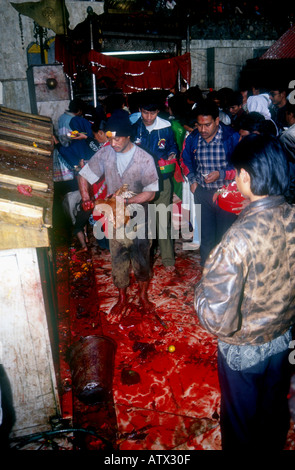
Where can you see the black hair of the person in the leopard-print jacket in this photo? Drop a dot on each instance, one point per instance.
(266, 162)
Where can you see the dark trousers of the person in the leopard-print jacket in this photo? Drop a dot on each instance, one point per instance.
(254, 406)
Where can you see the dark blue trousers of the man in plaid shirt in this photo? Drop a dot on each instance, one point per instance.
(214, 221)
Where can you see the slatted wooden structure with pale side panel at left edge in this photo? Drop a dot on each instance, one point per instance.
(26, 325)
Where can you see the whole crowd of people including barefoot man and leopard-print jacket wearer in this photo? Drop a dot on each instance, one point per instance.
(153, 148)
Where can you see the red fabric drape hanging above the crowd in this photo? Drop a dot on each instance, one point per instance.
(132, 76)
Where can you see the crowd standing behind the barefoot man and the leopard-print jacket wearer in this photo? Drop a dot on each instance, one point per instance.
(174, 117)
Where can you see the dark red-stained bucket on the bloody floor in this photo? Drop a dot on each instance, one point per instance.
(91, 362)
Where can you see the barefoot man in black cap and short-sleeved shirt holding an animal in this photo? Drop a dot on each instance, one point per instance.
(123, 163)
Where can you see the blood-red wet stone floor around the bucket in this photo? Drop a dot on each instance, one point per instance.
(161, 400)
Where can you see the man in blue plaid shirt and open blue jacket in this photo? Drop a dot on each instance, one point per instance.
(207, 155)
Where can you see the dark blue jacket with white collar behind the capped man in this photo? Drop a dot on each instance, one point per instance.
(160, 142)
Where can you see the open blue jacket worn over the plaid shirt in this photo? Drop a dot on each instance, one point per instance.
(230, 140)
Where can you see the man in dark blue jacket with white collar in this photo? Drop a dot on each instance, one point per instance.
(156, 137)
